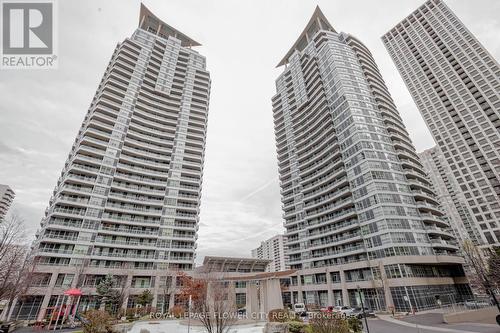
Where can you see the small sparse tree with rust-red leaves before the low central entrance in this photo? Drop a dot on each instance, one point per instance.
(210, 302)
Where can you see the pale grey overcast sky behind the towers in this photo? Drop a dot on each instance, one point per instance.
(41, 111)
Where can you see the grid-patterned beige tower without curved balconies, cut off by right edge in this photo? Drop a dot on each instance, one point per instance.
(455, 83)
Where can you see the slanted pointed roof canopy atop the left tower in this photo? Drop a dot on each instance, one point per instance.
(150, 22)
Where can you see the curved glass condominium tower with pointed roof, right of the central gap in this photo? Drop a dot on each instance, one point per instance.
(358, 207)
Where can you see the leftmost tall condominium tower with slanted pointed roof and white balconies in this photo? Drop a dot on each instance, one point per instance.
(127, 201)
